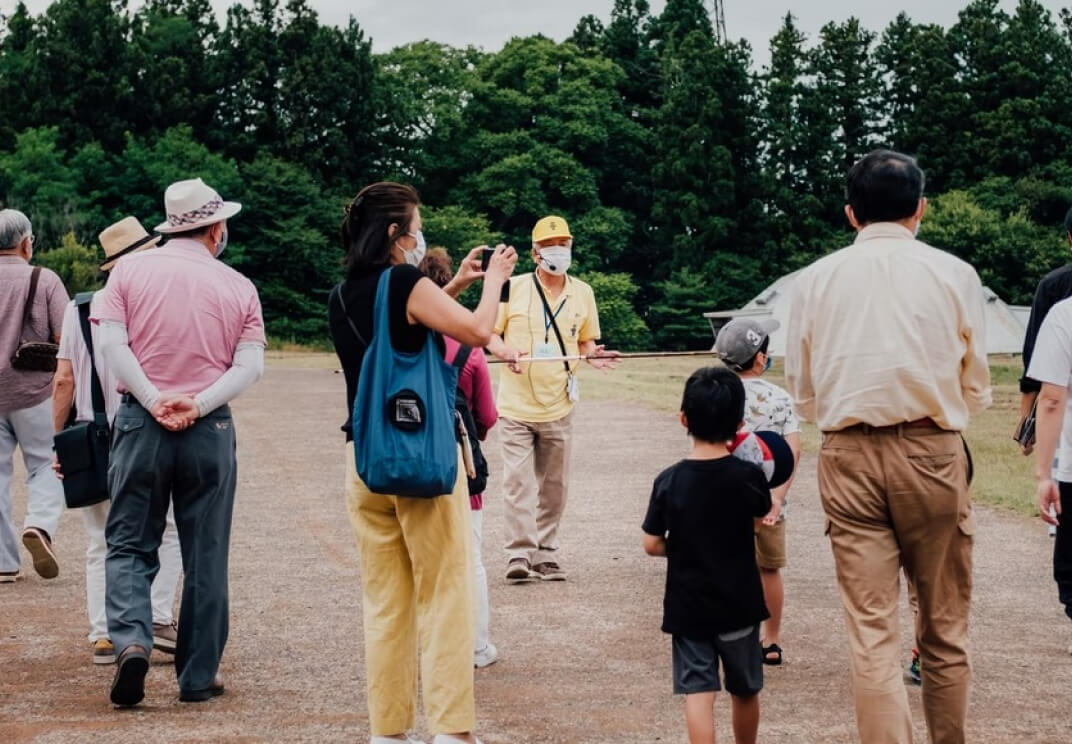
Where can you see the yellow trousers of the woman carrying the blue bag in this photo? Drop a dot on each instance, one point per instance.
(418, 599)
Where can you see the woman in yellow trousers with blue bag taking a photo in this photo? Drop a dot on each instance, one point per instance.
(407, 486)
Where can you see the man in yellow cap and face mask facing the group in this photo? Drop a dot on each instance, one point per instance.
(543, 316)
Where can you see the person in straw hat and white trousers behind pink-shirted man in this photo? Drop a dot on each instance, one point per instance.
(75, 370)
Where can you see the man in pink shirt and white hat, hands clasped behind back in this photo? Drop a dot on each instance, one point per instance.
(183, 334)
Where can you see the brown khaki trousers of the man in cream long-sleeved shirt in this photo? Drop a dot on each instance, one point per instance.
(899, 496)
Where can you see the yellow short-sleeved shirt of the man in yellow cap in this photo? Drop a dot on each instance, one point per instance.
(539, 395)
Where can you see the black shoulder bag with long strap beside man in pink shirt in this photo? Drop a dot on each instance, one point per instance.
(83, 450)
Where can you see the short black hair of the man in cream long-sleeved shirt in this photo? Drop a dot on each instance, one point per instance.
(885, 186)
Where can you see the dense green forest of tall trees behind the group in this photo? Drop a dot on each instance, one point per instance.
(691, 177)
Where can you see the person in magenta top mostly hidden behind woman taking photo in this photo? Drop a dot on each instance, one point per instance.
(474, 381)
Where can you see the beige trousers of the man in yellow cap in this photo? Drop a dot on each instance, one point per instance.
(534, 505)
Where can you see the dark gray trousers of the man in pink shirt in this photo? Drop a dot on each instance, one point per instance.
(197, 469)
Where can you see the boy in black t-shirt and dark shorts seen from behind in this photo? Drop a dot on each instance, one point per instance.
(701, 517)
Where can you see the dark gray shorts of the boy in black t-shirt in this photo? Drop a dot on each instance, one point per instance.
(696, 664)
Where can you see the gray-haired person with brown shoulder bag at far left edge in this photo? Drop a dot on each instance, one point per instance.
(32, 309)
